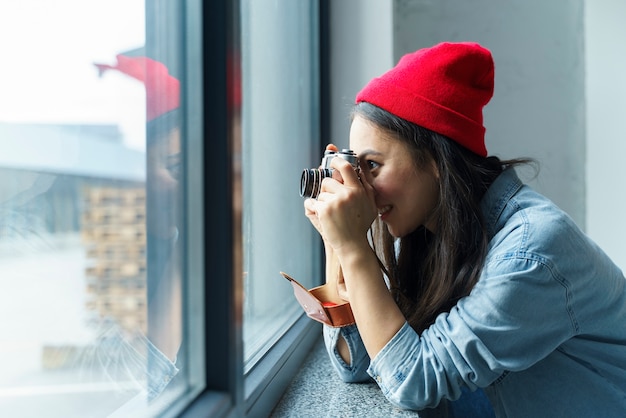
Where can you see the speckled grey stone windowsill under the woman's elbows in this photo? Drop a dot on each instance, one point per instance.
(317, 391)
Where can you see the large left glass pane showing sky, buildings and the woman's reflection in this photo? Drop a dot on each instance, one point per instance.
(91, 232)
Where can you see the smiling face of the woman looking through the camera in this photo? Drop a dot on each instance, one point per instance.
(406, 196)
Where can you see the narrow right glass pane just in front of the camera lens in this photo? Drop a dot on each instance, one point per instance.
(280, 139)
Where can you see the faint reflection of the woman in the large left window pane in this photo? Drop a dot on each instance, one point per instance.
(160, 369)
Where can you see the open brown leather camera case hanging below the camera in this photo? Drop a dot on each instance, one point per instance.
(317, 304)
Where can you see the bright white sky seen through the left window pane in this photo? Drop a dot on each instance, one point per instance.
(47, 74)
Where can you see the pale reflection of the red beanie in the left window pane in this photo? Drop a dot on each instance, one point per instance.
(162, 89)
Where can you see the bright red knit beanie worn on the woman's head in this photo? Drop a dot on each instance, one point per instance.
(443, 88)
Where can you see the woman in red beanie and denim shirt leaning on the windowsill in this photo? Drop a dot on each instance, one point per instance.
(472, 280)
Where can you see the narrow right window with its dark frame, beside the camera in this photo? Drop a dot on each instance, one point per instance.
(273, 135)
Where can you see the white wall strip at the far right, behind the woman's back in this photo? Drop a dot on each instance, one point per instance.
(605, 34)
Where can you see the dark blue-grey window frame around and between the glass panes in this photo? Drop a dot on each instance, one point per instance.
(212, 33)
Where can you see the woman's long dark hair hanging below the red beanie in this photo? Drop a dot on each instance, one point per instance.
(429, 272)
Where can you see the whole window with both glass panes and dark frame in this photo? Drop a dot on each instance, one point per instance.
(150, 154)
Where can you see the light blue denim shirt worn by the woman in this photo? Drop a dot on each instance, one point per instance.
(543, 331)
